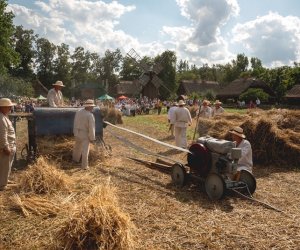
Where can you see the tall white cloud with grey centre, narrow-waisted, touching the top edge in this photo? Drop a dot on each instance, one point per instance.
(201, 42)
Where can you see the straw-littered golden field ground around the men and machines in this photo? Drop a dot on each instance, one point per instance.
(164, 217)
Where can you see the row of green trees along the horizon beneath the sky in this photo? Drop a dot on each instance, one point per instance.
(26, 57)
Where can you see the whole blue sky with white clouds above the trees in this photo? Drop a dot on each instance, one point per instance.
(199, 31)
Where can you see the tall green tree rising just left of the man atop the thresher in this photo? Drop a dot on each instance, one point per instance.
(46, 52)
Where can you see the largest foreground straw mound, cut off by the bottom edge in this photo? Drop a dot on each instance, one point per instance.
(97, 223)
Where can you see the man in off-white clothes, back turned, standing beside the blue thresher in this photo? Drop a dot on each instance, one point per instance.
(84, 132)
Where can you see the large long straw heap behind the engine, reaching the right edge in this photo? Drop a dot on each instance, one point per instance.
(274, 135)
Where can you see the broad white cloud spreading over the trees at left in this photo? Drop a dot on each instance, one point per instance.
(91, 24)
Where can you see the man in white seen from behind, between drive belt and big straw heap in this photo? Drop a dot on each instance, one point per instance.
(182, 120)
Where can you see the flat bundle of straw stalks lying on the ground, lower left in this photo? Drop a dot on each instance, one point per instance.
(34, 205)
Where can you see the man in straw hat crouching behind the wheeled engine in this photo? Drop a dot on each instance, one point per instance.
(245, 162)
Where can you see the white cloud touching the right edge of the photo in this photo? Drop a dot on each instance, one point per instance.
(272, 38)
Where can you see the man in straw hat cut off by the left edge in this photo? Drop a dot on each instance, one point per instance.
(7, 142)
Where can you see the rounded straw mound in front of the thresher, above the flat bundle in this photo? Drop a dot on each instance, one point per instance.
(44, 178)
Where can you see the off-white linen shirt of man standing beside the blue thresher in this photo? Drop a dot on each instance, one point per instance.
(84, 125)
